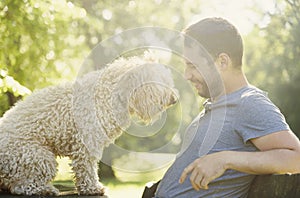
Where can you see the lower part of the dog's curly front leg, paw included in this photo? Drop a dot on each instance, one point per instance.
(86, 177)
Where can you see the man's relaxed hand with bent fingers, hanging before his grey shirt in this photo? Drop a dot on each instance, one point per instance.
(205, 169)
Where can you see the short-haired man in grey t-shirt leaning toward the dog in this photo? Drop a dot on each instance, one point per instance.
(253, 137)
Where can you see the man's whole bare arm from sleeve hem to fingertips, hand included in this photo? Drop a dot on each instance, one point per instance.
(279, 153)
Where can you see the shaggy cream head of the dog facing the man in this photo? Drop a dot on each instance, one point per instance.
(151, 92)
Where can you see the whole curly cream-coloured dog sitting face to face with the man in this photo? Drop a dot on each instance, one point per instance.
(78, 120)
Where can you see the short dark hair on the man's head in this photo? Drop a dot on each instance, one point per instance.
(217, 36)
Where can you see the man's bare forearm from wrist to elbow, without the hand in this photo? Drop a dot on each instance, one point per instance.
(276, 161)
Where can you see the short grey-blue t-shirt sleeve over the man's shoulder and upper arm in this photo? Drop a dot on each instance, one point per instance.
(257, 116)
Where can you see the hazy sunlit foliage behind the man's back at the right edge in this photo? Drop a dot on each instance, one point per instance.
(274, 61)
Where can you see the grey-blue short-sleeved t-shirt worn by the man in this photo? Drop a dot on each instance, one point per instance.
(240, 116)
